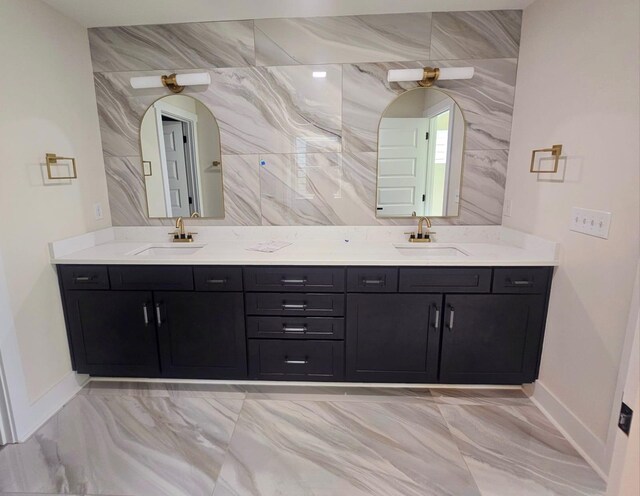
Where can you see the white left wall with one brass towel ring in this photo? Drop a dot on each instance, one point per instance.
(47, 104)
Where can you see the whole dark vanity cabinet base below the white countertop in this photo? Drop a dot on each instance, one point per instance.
(454, 325)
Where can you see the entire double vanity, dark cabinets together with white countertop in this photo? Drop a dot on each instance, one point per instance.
(336, 304)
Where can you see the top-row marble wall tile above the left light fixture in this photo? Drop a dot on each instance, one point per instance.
(177, 46)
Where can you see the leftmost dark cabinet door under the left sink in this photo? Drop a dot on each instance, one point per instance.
(113, 333)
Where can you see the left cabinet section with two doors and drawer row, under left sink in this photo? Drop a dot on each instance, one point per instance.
(135, 328)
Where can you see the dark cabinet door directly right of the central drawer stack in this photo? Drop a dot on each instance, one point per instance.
(393, 337)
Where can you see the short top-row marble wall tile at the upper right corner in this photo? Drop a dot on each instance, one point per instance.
(478, 35)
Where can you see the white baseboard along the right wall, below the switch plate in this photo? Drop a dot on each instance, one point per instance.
(590, 446)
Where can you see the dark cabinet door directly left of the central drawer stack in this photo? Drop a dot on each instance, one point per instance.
(201, 335)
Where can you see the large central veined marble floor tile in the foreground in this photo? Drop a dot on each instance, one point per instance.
(342, 448)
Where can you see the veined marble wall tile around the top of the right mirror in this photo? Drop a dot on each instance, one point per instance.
(486, 101)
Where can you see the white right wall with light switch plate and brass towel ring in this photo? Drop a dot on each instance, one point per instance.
(578, 85)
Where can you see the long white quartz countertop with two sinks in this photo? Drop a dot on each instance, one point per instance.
(376, 245)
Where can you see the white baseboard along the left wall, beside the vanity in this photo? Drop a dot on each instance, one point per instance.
(48, 405)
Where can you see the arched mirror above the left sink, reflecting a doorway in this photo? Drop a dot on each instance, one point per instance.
(181, 161)
